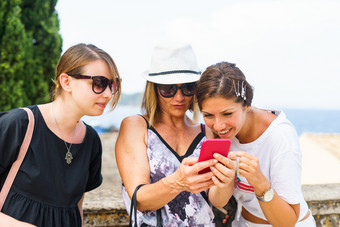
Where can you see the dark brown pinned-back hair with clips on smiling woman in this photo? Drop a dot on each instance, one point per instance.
(224, 80)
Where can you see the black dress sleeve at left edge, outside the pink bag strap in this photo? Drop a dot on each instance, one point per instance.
(13, 126)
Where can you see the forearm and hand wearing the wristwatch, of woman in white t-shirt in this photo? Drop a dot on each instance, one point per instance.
(278, 212)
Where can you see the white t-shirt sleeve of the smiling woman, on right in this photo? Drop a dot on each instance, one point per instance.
(286, 165)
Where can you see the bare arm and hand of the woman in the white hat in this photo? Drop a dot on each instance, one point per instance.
(133, 165)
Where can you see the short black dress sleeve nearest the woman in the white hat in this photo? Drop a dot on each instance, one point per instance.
(95, 177)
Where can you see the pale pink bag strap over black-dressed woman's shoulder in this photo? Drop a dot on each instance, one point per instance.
(16, 165)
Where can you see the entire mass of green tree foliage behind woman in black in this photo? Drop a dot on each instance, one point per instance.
(30, 46)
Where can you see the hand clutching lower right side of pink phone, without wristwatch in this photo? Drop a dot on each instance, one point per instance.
(224, 171)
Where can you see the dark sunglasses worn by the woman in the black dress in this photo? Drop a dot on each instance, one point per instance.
(99, 83)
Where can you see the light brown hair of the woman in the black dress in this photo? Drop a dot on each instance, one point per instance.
(78, 56)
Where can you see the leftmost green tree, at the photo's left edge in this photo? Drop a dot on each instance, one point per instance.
(13, 47)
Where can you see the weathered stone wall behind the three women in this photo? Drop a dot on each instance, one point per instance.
(106, 208)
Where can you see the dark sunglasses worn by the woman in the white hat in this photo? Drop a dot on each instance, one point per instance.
(169, 90)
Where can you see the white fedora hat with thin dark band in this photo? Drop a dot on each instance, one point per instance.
(173, 63)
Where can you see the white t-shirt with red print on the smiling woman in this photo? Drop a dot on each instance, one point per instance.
(280, 159)
